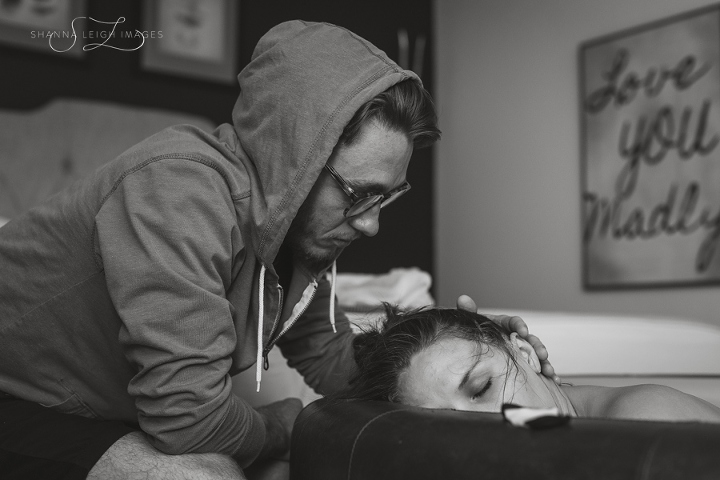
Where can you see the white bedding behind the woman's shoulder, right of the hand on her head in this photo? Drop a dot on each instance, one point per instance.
(616, 350)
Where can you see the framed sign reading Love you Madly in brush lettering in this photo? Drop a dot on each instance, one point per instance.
(650, 110)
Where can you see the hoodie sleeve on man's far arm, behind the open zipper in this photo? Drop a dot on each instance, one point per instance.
(323, 358)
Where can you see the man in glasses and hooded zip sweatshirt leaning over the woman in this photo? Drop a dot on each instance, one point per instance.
(130, 299)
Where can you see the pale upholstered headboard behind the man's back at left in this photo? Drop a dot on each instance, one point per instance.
(44, 150)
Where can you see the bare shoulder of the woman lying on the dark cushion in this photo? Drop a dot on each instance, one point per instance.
(644, 402)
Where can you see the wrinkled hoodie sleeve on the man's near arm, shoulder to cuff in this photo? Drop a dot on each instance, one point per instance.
(167, 237)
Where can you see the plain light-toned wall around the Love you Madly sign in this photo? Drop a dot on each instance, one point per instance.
(508, 167)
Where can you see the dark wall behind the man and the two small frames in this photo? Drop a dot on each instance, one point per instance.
(30, 78)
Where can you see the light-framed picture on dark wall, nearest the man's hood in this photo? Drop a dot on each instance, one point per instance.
(193, 38)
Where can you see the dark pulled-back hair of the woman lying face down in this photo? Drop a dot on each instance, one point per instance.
(383, 352)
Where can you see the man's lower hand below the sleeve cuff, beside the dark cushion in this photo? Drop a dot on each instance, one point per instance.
(279, 418)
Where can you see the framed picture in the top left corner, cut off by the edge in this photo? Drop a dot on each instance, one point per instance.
(52, 26)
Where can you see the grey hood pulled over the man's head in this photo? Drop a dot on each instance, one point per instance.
(303, 84)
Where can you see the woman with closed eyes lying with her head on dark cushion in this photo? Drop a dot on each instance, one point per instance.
(448, 358)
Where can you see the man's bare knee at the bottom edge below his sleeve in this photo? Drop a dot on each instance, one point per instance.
(132, 455)
